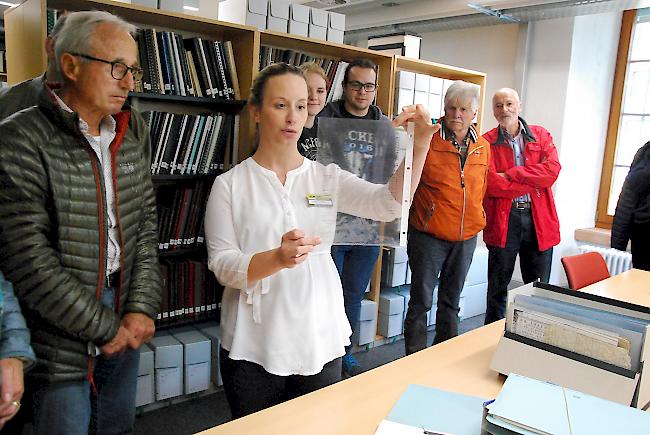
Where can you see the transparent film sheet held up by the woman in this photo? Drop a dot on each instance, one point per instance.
(372, 150)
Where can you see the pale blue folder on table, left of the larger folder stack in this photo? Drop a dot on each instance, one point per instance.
(425, 410)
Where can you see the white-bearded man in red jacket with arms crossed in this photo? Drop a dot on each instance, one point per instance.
(519, 206)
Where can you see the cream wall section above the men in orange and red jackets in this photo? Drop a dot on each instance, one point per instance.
(492, 50)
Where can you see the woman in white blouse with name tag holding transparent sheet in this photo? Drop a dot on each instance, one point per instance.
(283, 322)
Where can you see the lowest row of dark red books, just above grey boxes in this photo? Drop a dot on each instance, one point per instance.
(190, 292)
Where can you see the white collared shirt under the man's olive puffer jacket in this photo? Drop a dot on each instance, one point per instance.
(101, 144)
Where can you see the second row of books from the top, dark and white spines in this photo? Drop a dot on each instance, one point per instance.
(185, 144)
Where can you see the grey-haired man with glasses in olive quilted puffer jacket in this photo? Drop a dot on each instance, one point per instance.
(78, 230)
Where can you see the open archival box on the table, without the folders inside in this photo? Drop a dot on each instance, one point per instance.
(570, 370)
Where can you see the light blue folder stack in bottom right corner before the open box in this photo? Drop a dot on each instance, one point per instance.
(528, 406)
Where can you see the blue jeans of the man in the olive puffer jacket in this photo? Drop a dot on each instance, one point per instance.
(71, 407)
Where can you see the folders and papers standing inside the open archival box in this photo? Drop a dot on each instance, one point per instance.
(607, 337)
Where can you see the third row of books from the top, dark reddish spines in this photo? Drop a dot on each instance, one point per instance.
(180, 216)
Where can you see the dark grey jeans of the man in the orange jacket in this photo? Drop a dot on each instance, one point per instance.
(430, 257)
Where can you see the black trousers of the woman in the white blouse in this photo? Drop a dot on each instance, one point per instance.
(249, 388)
